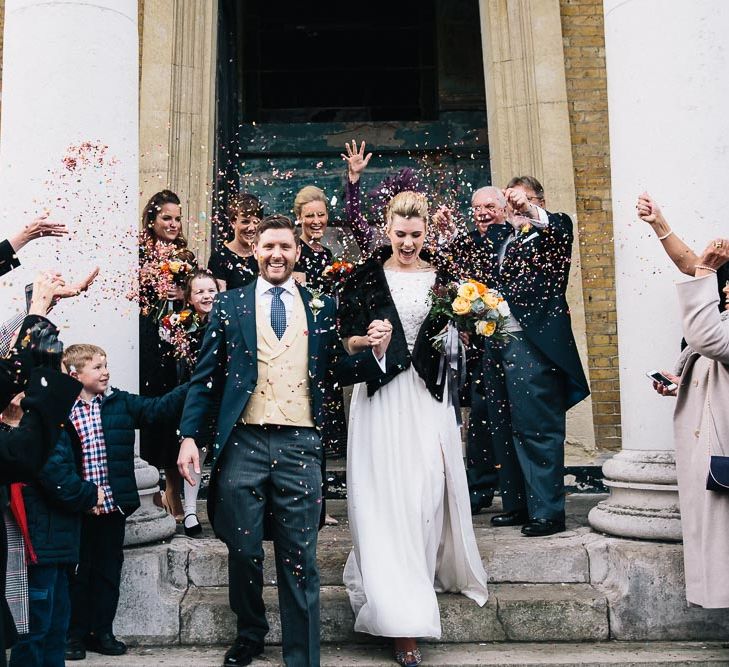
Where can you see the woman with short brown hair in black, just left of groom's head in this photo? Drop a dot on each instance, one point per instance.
(234, 264)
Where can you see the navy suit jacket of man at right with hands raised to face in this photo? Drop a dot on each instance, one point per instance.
(533, 280)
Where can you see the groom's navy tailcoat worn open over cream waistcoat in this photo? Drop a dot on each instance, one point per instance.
(228, 364)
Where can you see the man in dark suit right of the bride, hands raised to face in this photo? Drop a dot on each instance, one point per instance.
(533, 379)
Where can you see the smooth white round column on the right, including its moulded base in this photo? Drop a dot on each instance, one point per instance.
(669, 134)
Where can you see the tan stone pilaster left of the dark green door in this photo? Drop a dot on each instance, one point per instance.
(177, 109)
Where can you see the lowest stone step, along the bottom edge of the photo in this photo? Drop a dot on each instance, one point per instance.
(605, 654)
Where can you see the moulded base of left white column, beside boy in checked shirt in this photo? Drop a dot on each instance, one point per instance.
(149, 523)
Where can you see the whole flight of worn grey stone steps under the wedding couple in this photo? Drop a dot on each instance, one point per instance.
(567, 593)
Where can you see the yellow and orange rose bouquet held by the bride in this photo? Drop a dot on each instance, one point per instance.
(470, 307)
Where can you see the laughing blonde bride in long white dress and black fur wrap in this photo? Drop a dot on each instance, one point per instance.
(407, 493)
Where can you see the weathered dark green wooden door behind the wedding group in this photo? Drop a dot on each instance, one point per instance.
(405, 77)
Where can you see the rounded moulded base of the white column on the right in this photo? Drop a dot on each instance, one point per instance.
(643, 500)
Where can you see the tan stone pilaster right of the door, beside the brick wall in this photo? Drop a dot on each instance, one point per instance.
(529, 133)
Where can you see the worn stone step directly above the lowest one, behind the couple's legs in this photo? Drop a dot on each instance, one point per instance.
(514, 612)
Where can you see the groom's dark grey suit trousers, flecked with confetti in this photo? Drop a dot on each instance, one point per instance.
(273, 474)
